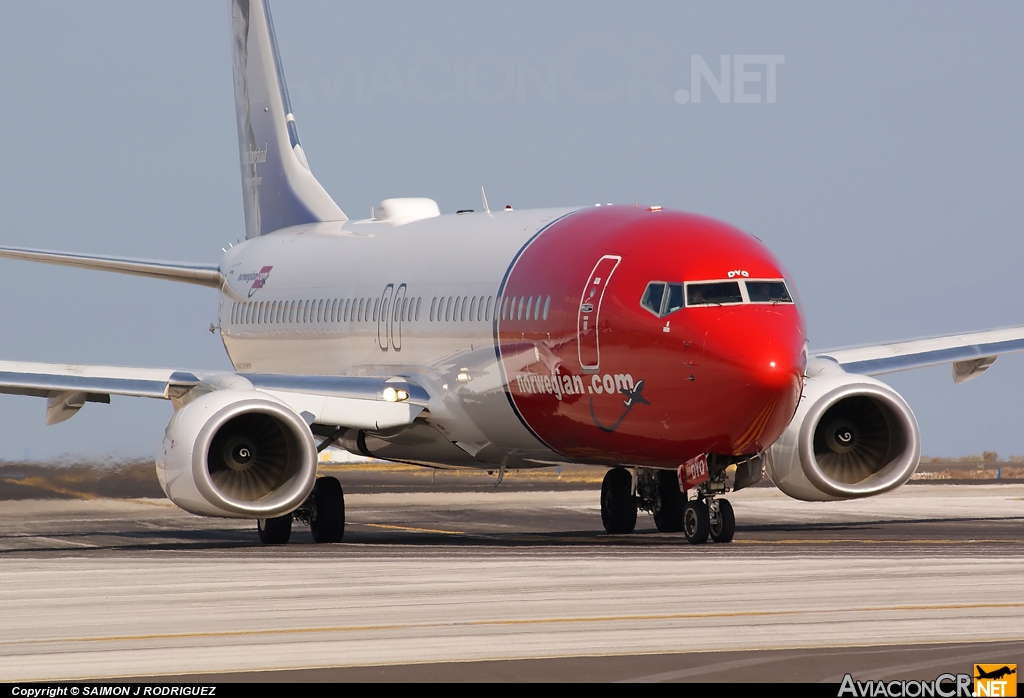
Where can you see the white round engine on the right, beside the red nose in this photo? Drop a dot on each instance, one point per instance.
(852, 437)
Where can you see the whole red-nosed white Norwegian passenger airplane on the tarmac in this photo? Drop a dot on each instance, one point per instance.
(356, 334)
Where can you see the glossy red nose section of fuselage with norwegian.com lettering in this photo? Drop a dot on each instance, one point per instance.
(715, 379)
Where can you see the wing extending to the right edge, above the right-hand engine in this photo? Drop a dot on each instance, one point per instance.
(970, 355)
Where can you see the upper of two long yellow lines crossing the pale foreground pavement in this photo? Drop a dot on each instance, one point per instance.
(519, 622)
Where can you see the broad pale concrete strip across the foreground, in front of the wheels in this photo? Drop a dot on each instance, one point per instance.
(76, 619)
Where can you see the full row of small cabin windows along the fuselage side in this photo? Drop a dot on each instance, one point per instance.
(448, 309)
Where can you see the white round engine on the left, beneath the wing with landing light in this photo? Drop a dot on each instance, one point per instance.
(239, 454)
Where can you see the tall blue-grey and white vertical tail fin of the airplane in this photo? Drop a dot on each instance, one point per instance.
(278, 188)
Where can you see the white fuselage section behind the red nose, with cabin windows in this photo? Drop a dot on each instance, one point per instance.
(364, 298)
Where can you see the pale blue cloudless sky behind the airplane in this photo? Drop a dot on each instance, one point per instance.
(887, 176)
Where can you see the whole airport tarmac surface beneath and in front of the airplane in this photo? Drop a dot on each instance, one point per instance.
(517, 586)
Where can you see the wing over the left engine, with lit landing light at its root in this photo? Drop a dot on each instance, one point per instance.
(371, 403)
